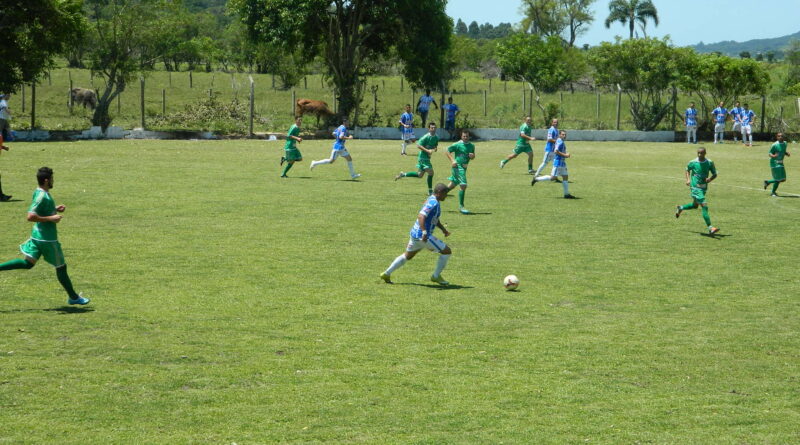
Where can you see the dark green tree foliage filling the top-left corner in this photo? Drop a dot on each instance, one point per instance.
(32, 32)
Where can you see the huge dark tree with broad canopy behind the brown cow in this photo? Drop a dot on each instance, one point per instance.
(353, 33)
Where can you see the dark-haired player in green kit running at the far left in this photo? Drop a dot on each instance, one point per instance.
(44, 238)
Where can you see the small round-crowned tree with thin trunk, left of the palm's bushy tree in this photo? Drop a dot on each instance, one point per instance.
(544, 63)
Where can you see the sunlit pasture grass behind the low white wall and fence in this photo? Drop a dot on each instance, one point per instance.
(274, 107)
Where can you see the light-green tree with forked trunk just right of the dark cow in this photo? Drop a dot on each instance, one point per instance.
(121, 32)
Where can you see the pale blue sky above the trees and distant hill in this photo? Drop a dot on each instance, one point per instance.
(686, 21)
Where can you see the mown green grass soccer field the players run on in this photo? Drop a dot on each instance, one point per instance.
(229, 305)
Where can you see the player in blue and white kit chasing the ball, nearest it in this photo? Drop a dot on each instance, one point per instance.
(422, 237)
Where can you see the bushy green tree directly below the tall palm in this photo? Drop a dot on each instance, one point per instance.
(644, 69)
